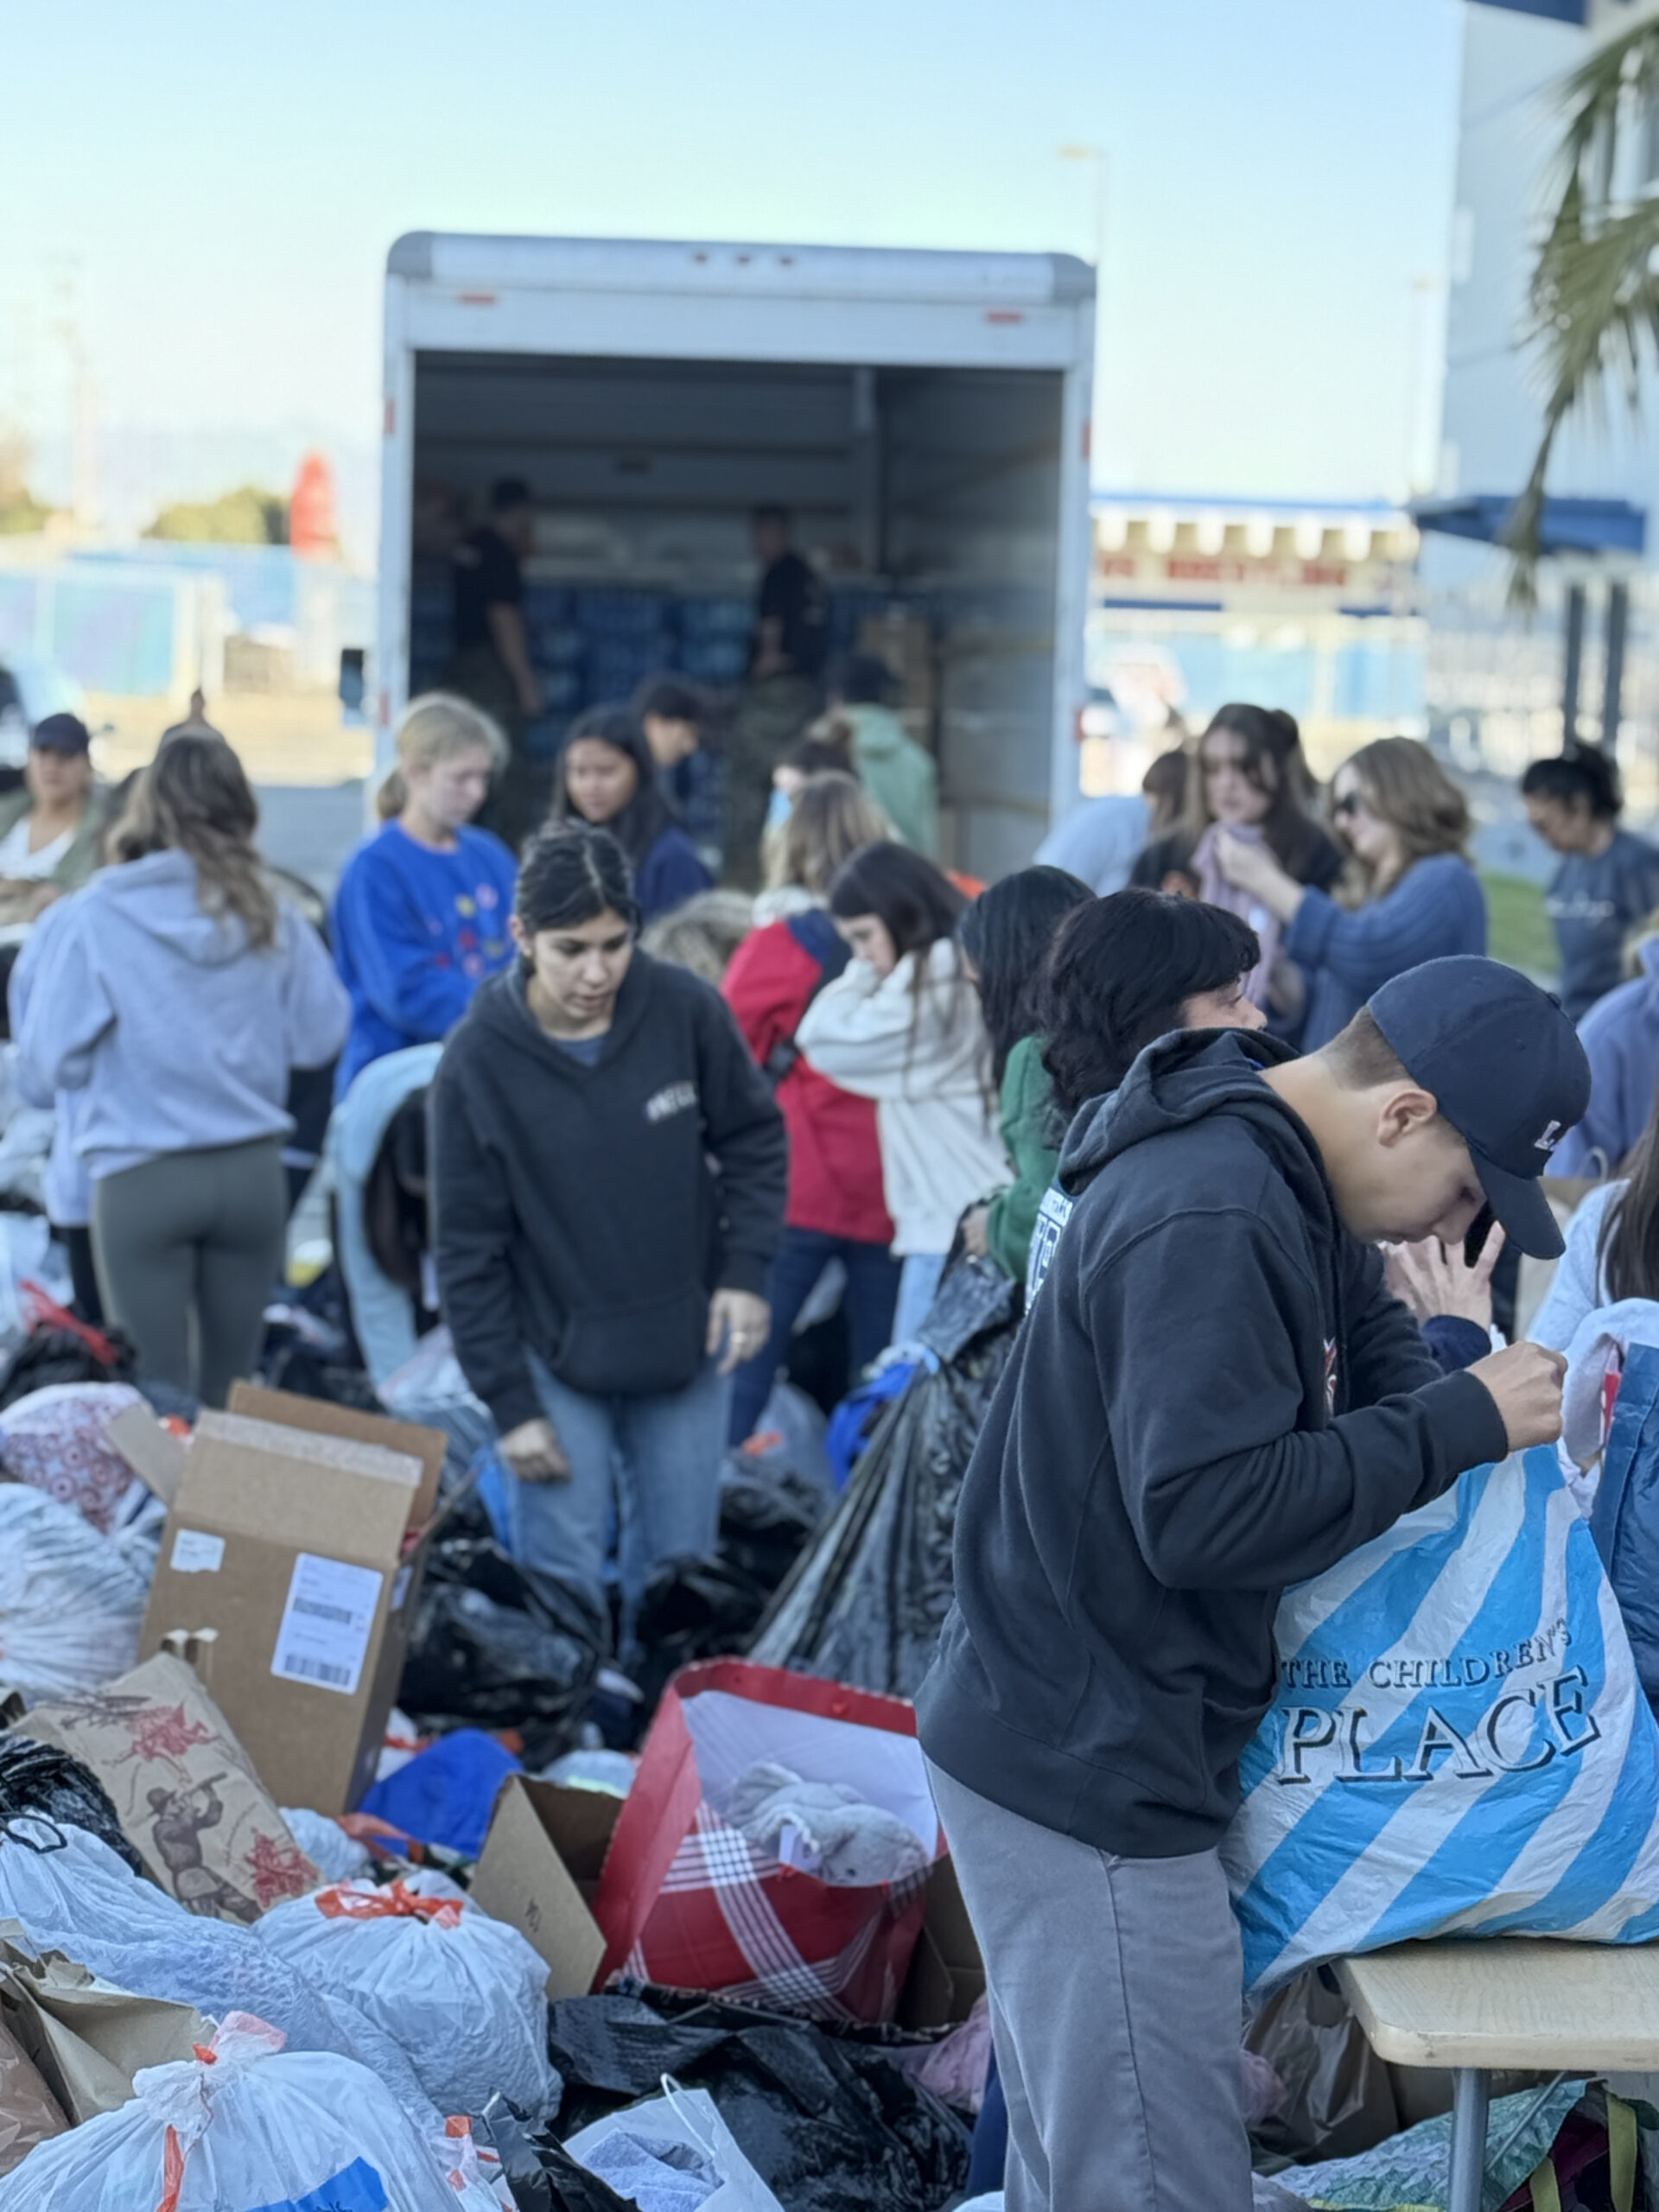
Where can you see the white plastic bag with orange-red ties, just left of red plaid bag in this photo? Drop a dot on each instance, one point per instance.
(461, 1992)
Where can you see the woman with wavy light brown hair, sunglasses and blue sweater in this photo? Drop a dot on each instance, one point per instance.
(1408, 826)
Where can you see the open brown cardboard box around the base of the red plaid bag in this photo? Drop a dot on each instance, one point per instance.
(541, 1872)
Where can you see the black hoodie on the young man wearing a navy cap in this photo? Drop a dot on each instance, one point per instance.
(1211, 1399)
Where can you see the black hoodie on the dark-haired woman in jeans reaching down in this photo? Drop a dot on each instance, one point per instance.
(578, 1211)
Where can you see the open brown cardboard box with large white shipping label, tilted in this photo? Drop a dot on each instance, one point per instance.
(300, 1534)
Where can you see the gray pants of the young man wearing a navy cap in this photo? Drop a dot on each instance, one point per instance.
(1116, 2010)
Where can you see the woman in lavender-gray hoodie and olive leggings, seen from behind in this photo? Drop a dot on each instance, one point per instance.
(178, 997)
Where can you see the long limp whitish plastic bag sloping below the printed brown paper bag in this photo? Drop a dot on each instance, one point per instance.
(76, 1897)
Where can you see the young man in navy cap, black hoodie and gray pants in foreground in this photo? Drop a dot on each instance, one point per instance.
(1213, 1399)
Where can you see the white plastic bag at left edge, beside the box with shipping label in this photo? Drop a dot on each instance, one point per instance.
(72, 1605)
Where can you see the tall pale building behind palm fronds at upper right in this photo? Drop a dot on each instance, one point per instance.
(1501, 689)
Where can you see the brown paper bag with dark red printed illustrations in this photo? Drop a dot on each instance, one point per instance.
(182, 1788)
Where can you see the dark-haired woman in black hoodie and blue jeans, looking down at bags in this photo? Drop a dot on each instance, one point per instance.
(609, 1178)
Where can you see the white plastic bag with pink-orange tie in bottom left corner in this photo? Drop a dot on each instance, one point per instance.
(249, 2129)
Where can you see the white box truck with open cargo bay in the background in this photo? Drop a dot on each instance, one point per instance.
(921, 415)
